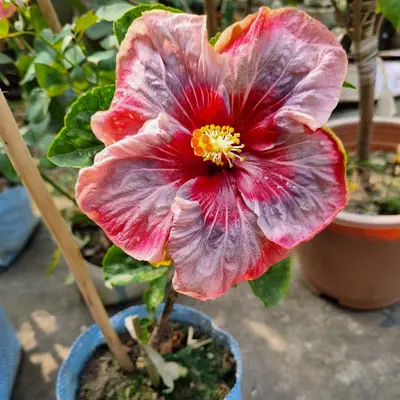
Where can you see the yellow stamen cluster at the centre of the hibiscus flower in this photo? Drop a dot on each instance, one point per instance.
(217, 144)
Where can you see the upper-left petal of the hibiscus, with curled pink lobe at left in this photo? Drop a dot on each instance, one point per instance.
(165, 65)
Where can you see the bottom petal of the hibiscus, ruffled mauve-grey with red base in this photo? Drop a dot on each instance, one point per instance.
(215, 241)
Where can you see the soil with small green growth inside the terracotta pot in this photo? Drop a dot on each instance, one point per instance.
(383, 194)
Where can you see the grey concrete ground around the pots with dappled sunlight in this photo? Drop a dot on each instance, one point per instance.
(307, 349)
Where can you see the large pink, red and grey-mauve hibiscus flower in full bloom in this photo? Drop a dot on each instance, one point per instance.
(216, 154)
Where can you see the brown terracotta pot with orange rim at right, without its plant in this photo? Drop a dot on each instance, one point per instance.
(356, 260)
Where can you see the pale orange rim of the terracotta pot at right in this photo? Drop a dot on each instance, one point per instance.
(346, 218)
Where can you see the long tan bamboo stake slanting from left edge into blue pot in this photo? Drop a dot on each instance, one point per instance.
(30, 176)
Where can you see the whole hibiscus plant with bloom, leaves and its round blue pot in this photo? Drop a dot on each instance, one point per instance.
(171, 181)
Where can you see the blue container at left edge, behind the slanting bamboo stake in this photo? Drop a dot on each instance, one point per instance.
(17, 223)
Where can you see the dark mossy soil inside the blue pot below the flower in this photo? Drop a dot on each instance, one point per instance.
(211, 371)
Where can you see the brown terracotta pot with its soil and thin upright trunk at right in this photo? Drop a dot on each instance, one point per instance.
(355, 260)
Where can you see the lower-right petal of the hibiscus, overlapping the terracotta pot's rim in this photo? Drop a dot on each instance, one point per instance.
(297, 187)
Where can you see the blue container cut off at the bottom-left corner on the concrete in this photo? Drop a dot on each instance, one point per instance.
(10, 355)
